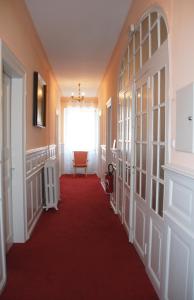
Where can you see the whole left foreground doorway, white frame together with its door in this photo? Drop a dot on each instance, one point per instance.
(12, 163)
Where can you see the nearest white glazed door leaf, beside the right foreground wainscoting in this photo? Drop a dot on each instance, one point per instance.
(156, 175)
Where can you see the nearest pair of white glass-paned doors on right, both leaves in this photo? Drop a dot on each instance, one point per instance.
(150, 105)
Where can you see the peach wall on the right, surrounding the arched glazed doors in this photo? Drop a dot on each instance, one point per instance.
(180, 21)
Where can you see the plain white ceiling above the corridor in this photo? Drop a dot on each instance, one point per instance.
(79, 37)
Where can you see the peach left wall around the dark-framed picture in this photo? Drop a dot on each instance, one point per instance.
(17, 31)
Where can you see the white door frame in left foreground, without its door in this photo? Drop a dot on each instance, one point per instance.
(15, 70)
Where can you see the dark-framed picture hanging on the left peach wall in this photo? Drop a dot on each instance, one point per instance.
(39, 101)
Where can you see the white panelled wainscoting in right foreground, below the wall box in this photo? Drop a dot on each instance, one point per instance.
(179, 234)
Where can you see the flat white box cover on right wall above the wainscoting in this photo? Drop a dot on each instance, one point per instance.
(184, 119)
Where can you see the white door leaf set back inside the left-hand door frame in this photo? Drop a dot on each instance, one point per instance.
(6, 160)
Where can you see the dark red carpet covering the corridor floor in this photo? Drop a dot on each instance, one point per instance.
(80, 252)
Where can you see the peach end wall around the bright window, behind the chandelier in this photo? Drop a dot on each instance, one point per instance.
(66, 101)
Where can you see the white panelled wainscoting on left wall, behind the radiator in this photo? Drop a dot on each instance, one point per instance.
(35, 160)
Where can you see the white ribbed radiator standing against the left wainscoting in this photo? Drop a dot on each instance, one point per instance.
(51, 184)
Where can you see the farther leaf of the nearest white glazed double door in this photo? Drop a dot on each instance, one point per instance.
(140, 166)
